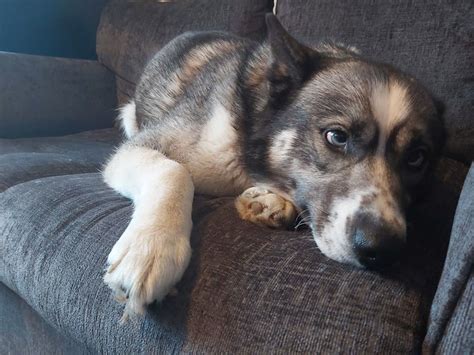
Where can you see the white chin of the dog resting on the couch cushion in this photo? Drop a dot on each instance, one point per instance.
(336, 250)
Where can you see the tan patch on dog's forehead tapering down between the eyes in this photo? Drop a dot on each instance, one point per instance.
(391, 105)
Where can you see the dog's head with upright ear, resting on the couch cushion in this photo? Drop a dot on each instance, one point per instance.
(356, 140)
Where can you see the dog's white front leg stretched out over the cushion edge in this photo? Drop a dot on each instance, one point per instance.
(152, 254)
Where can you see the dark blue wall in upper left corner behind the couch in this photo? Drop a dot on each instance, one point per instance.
(61, 28)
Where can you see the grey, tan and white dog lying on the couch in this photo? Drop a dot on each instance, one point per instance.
(288, 128)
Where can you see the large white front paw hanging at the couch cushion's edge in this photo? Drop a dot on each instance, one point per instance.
(144, 265)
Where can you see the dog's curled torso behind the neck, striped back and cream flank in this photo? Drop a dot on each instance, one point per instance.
(187, 104)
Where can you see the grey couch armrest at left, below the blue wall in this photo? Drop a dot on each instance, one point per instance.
(44, 96)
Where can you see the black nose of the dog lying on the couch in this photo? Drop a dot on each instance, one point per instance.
(376, 244)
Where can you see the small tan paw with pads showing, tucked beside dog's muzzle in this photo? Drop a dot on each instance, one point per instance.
(263, 207)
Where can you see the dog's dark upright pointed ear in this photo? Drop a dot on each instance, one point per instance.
(291, 62)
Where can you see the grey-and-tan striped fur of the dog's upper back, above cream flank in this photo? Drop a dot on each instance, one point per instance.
(183, 79)
